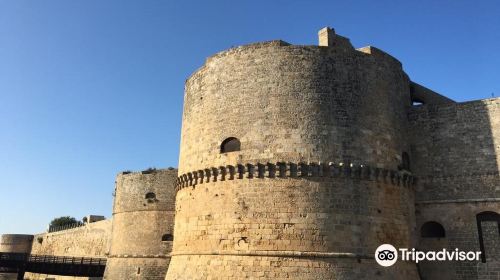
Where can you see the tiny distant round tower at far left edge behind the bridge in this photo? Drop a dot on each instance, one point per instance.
(14, 243)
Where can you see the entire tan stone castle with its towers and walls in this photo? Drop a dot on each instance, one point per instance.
(297, 162)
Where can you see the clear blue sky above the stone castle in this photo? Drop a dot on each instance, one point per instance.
(89, 88)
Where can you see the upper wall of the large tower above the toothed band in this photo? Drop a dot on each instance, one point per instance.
(296, 103)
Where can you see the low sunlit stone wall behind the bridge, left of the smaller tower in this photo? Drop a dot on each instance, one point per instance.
(90, 240)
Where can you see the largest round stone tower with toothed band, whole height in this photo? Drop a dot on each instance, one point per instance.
(289, 164)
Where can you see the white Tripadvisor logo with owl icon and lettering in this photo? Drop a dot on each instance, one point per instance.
(387, 255)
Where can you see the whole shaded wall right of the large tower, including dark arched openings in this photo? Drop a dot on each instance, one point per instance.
(455, 154)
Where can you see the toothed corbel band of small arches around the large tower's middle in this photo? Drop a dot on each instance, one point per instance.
(293, 170)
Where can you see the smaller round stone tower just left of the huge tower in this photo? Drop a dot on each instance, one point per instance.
(142, 231)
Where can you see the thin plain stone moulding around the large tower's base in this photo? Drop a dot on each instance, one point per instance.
(280, 253)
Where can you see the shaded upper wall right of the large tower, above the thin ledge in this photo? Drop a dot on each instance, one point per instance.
(456, 150)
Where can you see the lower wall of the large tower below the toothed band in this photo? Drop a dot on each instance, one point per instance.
(294, 228)
